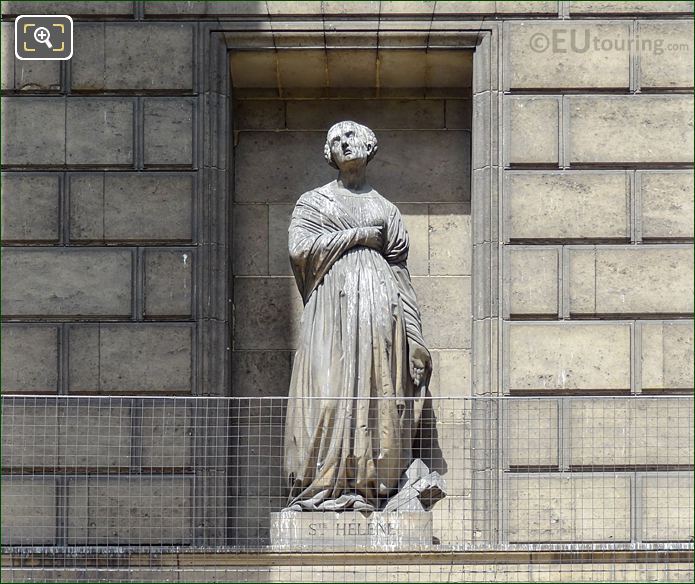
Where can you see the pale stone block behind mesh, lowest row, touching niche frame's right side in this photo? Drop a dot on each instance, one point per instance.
(560, 508)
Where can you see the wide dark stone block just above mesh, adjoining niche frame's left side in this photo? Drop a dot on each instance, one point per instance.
(130, 358)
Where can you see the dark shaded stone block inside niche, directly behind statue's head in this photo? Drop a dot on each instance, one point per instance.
(414, 166)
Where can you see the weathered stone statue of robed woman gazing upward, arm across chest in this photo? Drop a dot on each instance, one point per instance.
(361, 337)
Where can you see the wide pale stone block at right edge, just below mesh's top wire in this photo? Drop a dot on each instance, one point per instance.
(624, 432)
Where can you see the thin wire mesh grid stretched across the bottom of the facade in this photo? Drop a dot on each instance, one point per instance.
(437, 489)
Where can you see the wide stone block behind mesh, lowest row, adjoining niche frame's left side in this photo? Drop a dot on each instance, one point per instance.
(130, 511)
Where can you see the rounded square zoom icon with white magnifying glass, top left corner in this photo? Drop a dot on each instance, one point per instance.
(44, 37)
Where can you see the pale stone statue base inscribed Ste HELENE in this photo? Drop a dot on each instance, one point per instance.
(350, 530)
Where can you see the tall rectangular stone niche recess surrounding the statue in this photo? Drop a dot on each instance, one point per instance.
(418, 102)
